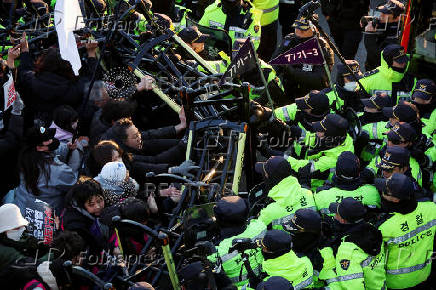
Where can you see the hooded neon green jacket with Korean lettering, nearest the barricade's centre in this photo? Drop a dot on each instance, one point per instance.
(288, 197)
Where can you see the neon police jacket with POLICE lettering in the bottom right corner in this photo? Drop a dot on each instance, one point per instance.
(409, 246)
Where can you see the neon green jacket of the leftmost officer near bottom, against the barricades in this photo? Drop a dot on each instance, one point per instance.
(232, 263)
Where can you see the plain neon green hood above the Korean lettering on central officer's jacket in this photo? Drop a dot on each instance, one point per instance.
(285, 191)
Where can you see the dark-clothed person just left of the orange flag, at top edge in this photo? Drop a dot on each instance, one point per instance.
(382, 31)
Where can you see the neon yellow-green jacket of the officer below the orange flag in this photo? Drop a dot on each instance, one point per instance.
(381, 79)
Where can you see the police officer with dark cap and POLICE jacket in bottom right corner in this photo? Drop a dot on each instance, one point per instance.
(408, 231)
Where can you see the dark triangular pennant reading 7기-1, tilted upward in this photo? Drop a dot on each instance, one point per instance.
(244, 61)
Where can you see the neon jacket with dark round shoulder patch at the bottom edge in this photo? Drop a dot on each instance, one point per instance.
(355, 269)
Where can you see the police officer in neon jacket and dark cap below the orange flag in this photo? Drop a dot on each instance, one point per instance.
(391, 76)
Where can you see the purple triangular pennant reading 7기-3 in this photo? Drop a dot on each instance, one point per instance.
(307, 52)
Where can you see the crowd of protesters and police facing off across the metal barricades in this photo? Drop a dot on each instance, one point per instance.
(348, 203)
